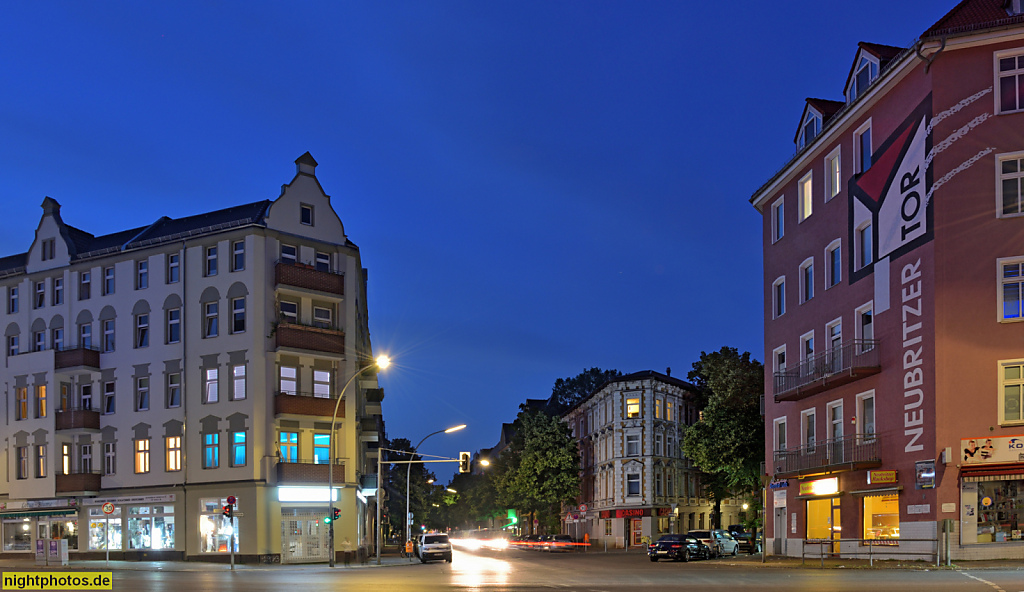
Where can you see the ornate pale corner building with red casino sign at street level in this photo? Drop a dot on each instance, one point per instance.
(636, 481)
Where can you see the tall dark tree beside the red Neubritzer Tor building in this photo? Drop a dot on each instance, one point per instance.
(728, 444)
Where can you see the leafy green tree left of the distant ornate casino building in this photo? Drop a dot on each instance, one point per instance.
(541, 470)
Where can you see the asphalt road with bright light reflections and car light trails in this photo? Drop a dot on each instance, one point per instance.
(530, 571)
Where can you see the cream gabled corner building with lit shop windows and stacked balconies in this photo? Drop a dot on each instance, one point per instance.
(152, 374)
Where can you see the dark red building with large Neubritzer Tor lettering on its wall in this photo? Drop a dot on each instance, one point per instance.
(894, 274)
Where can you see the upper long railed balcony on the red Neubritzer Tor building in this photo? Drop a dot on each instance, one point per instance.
(852, 361)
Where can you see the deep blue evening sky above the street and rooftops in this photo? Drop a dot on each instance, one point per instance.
(536, 188)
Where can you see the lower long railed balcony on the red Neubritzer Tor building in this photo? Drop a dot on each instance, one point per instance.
(832, 456)
